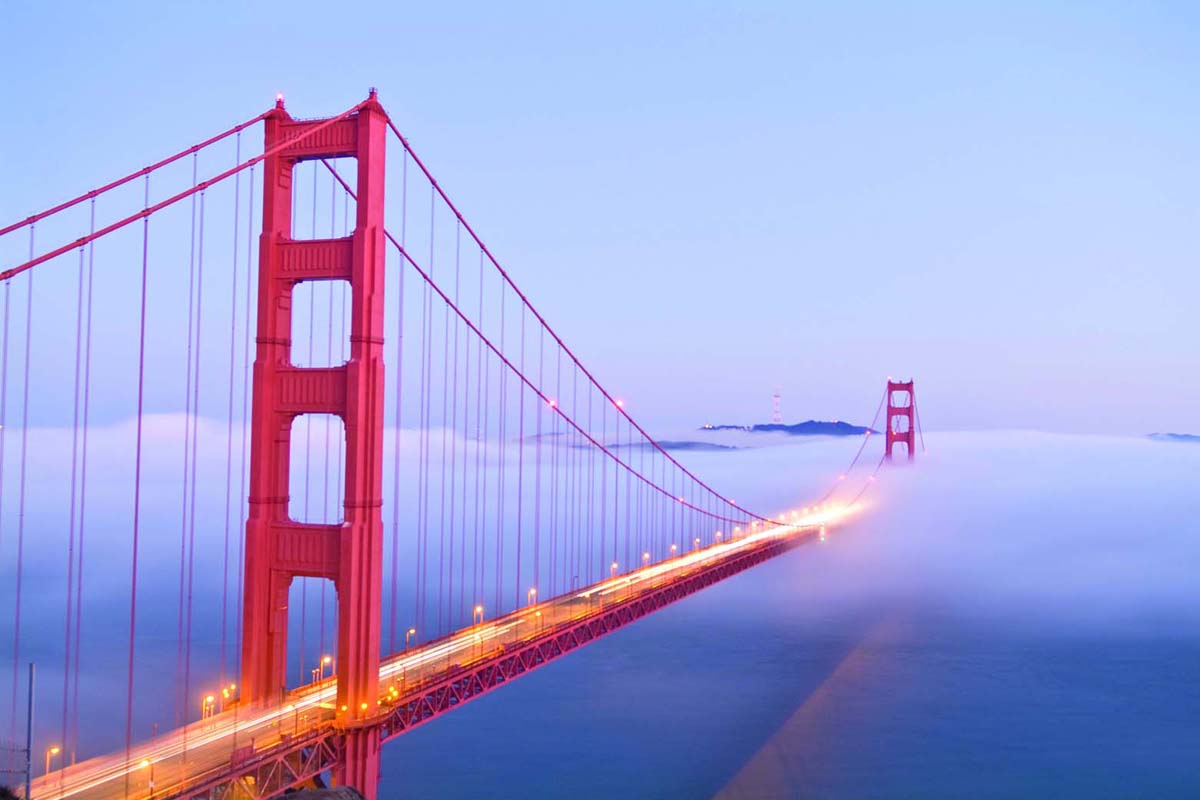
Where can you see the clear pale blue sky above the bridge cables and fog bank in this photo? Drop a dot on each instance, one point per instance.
(712, 201)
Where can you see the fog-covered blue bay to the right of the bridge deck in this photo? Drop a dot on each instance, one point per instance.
(1001, 625)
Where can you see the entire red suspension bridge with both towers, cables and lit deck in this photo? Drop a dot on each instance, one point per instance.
(440, 497)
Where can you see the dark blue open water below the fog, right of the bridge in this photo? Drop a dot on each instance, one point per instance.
(886, 701)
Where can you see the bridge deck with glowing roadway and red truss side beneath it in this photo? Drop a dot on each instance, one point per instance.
(263, 751)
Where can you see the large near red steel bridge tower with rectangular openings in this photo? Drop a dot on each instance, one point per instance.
(280, 549)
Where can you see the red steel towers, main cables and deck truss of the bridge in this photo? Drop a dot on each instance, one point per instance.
(279, 549)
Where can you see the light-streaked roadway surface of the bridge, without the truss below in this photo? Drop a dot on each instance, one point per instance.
(193, 756)
